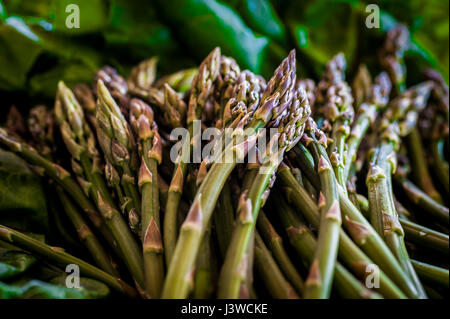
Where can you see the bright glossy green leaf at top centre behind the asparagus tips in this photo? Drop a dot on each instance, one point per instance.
(204, 24)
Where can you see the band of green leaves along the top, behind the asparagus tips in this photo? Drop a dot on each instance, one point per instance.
(37, 48)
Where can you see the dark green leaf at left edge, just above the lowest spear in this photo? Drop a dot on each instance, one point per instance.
(22, 199)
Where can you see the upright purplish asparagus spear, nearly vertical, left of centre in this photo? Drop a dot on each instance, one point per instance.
(141, 118)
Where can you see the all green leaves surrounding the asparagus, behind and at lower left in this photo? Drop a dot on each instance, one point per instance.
(37, 50)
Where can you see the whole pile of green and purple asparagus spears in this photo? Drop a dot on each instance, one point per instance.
(346, 199)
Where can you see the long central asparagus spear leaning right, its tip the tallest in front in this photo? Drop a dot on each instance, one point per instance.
(273, 102)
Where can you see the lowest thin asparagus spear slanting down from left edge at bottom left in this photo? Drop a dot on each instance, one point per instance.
(57, 255)
